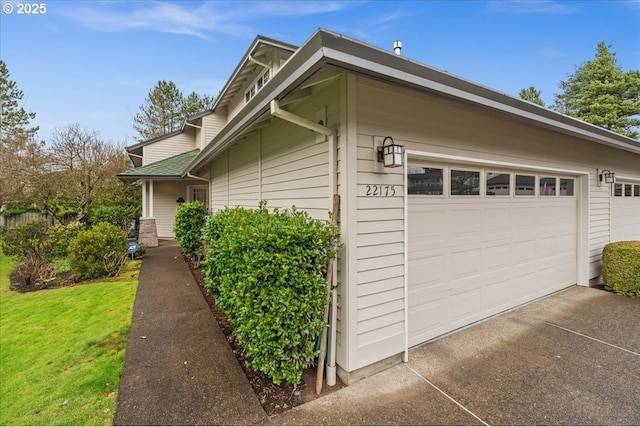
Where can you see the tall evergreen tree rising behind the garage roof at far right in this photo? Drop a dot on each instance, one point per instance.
(600, 93)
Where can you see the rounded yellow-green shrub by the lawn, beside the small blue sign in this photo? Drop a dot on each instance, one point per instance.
(98, 252)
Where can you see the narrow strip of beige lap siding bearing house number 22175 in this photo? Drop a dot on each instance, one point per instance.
(380, 305)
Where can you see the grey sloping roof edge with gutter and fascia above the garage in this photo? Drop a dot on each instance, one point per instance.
(328, 50)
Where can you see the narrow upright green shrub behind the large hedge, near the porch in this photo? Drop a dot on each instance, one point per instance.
(190, 219)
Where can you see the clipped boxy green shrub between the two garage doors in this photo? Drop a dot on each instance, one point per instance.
(621, 267)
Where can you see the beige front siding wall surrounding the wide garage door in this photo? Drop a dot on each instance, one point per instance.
(438, 125)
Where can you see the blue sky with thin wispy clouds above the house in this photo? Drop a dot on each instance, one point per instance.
(94, 62)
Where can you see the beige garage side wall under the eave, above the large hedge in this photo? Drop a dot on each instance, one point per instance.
(282, 163)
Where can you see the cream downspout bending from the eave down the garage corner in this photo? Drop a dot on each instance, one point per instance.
(276, 111)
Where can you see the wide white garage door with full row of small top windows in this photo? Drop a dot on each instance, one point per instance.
(482, 241)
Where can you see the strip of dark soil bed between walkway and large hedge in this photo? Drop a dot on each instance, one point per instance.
(275, 399)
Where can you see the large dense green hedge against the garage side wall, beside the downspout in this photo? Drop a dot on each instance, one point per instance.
(267, 272)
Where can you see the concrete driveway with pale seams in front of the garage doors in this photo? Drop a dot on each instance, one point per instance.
(569, 359)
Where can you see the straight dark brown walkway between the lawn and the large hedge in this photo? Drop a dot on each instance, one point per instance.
(179, 368)
